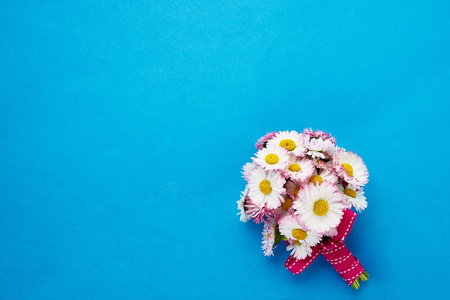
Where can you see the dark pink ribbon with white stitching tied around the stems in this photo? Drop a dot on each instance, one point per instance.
(336, 253)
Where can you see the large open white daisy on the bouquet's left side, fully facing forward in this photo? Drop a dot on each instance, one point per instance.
(266, 188)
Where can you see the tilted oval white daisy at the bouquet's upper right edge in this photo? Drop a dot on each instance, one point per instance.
(350, 167)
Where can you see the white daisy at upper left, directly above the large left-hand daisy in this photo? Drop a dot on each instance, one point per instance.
(272, 158)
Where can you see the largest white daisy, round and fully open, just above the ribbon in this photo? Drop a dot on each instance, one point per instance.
(321, 206)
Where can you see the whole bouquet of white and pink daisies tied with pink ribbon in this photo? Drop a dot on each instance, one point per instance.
(302, 187)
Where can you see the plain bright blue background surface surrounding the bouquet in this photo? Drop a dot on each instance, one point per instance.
(124, 125)
